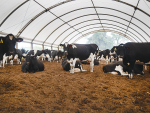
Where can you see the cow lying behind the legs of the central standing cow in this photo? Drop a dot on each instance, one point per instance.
(66, 65)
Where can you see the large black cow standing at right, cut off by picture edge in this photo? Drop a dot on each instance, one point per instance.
(134, 52)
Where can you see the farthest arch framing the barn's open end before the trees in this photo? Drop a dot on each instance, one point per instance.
(106, 30)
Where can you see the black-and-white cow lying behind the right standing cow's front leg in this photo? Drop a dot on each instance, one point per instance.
(119, 68)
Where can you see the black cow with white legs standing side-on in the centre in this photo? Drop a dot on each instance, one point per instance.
(81, 52)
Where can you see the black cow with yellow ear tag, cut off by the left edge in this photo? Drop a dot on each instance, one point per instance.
(7, 45)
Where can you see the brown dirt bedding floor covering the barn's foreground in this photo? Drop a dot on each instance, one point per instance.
(57, 91)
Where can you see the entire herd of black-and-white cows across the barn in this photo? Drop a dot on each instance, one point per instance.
(127, 58)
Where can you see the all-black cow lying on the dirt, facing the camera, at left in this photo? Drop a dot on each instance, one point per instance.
(32, 65)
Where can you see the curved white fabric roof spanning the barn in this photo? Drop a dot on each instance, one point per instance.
(51, 22)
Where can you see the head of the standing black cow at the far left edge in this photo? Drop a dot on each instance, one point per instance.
(10, 42)
